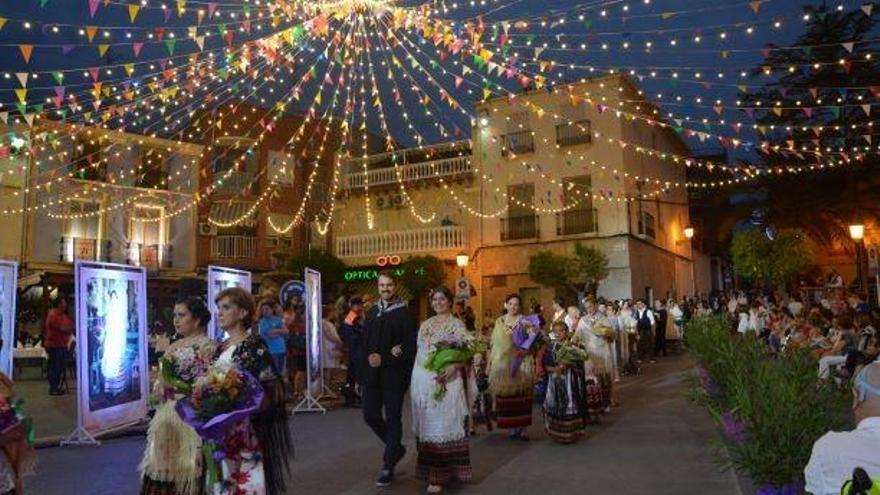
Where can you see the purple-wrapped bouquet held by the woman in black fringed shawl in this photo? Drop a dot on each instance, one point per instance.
(219, 401)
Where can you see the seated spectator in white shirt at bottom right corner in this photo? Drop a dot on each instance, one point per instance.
(837, 454)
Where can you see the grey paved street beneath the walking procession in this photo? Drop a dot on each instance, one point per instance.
(655, 443)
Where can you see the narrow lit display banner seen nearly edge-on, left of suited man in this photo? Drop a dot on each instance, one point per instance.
(314, 346)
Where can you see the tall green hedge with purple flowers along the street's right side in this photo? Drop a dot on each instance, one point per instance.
(770, 410)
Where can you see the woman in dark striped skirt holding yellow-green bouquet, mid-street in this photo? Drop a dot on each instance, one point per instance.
(565, 416)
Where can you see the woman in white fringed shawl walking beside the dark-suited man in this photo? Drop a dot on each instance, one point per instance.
(439, 424)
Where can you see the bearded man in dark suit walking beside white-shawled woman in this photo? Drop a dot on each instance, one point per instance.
(390, 347)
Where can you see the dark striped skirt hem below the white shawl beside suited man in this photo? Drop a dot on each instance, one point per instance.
(441, 463)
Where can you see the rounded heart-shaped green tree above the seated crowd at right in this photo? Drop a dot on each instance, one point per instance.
(758, 258)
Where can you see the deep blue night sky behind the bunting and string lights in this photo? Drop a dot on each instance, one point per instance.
(725, 47)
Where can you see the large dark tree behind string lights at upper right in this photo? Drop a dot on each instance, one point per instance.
(816, 110)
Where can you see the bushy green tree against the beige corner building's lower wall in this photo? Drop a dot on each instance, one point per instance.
(572, 275)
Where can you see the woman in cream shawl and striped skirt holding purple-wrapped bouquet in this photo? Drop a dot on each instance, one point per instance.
(511, 372)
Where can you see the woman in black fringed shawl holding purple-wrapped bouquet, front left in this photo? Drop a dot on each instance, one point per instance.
(252, 450)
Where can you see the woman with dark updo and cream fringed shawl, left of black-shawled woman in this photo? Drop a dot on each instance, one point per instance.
(172, 462)
